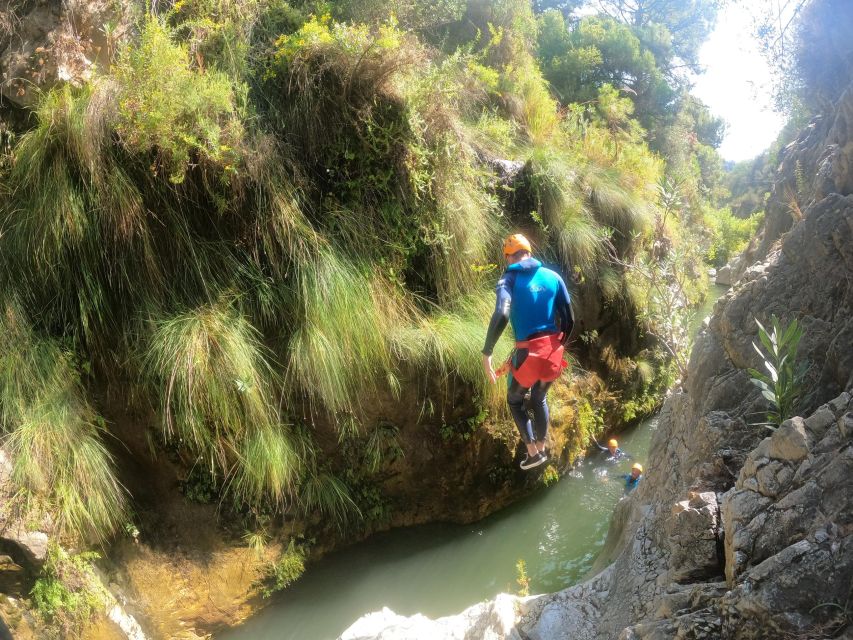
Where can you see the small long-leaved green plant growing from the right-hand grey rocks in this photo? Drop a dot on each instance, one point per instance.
(782, 384)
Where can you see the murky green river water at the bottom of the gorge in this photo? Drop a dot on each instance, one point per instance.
(439, 570)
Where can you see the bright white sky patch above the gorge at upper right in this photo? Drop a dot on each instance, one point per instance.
(736, 84)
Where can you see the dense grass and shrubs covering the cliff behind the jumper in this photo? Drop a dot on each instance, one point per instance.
(265, 218)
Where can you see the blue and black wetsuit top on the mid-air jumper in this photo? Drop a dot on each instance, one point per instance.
(534, 299)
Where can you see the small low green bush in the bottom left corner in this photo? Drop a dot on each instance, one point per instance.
(67, 592)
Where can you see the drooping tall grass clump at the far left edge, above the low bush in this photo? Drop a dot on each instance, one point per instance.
(54, 437)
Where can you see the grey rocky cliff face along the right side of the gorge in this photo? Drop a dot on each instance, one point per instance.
(737, 532)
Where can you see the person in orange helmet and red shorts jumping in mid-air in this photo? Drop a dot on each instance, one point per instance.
(537, 304)
